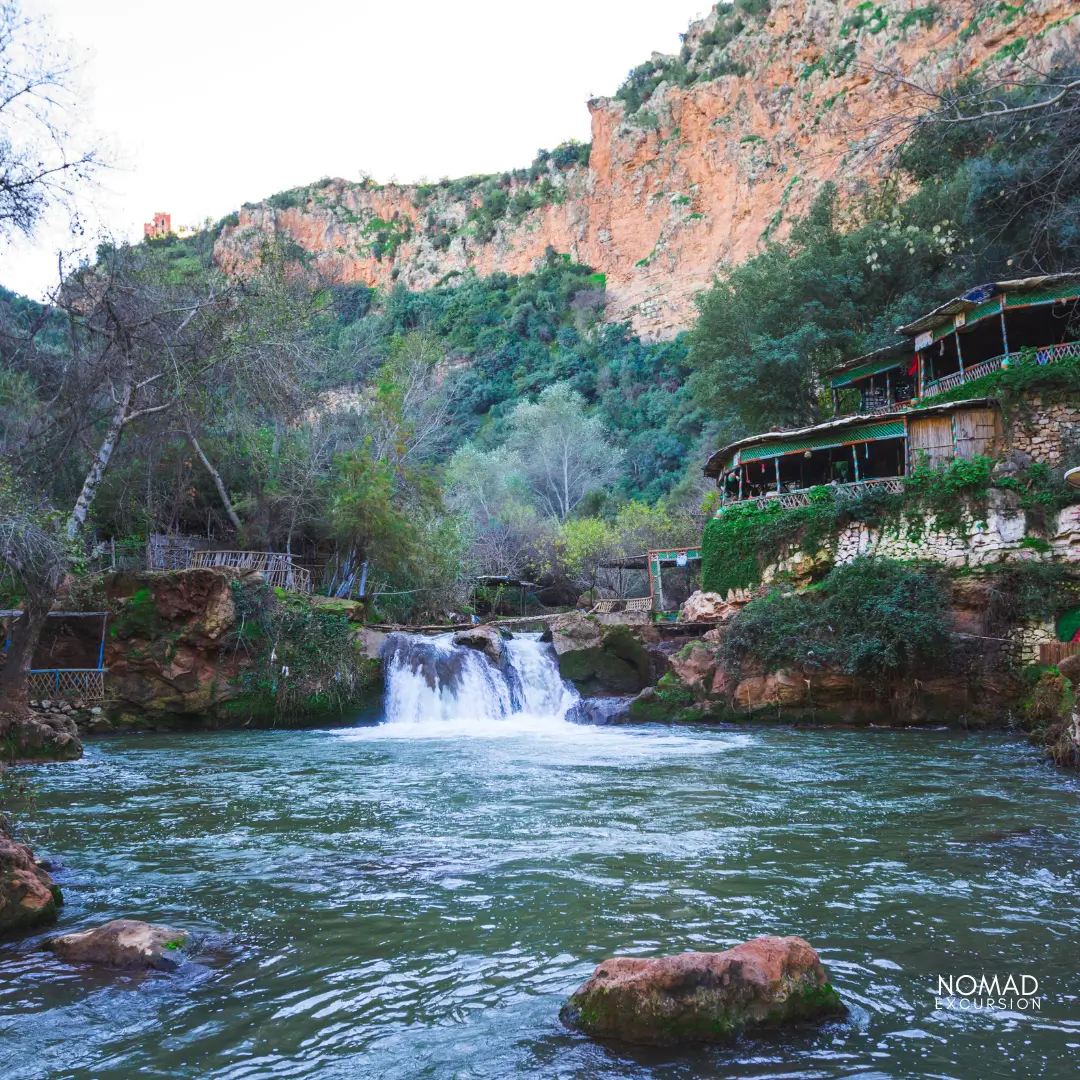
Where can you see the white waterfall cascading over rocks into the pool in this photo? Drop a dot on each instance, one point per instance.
(431, 681)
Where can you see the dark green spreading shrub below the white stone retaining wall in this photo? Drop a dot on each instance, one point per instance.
(873, 618)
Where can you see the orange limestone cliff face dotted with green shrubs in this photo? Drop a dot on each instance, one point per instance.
(700, 173)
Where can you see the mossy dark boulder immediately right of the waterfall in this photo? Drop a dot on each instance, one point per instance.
(601, 657)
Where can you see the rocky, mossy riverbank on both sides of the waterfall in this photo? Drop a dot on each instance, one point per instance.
(210, 649)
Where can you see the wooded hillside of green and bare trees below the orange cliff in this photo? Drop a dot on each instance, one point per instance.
(498, 424)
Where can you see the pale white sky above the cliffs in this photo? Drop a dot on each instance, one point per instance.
(207, 104)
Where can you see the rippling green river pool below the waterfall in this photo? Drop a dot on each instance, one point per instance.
(403, 902)
